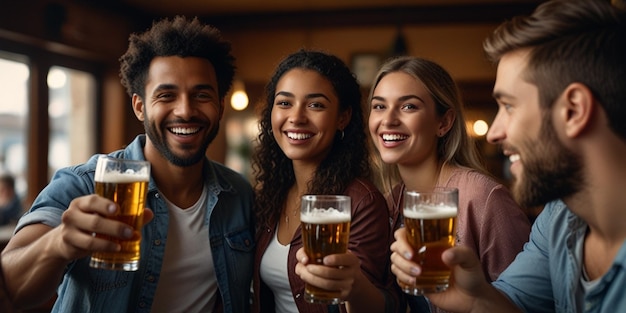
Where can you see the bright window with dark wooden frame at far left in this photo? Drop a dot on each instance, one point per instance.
(34, 144)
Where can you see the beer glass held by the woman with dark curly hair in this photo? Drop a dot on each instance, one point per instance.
(325, 230)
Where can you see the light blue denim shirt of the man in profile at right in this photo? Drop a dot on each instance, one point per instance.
(546, 275)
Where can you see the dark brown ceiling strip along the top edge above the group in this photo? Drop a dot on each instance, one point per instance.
(234, 14)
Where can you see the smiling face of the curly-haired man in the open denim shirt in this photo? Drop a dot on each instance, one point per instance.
(182, 109)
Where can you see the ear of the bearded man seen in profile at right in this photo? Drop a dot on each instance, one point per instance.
(577, 109)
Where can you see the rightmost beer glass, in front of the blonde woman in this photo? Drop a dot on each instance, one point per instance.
(430, 221)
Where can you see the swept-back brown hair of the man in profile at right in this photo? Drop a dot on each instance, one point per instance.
(571, 41)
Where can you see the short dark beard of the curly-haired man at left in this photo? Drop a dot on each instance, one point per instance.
(160, 143)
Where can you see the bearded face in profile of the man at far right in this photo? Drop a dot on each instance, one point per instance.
(544, 169)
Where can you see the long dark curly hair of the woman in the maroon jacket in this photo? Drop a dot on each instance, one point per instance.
(348, 158)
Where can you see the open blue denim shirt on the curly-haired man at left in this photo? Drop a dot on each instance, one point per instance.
(231, 233)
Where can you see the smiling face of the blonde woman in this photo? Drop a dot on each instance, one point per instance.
(403, 121)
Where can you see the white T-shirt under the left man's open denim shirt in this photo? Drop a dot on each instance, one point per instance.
(187, 282)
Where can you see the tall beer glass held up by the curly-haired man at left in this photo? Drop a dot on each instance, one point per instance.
(126, 183)
